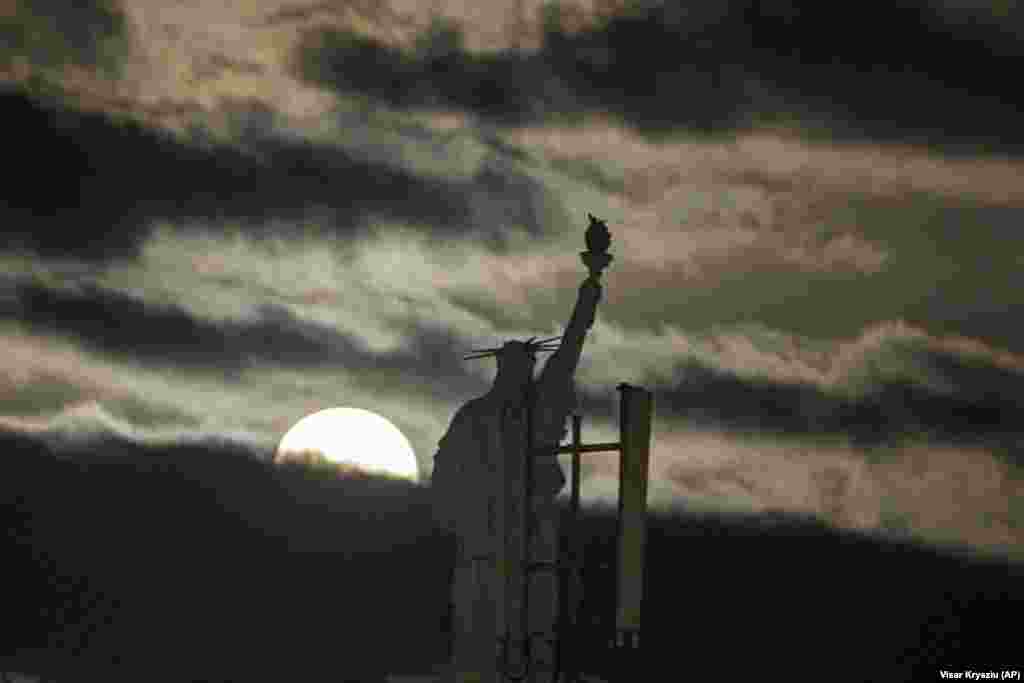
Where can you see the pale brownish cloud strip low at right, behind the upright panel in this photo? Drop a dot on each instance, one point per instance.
(935, 493)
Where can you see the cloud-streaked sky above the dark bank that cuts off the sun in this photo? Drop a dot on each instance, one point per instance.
(223, 240)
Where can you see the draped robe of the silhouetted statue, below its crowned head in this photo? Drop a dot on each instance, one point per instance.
(483, 465)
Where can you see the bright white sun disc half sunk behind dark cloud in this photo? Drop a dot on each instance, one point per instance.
(352, 437)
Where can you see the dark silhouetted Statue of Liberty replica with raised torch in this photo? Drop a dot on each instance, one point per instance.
(495, 483)
